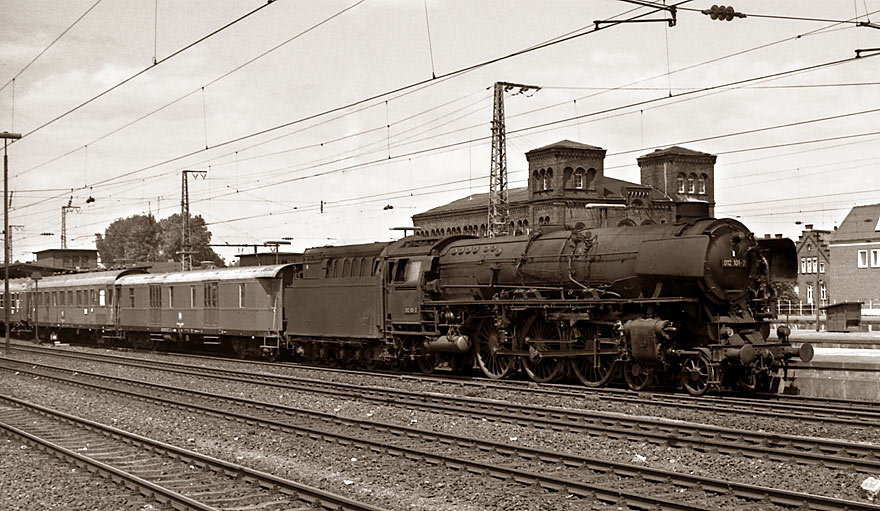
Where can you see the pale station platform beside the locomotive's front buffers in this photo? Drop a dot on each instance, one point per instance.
(834, 372)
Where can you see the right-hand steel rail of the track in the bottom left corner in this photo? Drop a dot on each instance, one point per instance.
(297, 491)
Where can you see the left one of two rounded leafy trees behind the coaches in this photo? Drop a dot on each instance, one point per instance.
(131, 239)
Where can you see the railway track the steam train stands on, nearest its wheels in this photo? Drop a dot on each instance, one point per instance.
(804, 409)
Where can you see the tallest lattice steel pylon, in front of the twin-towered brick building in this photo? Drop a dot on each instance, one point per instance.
(499, 203)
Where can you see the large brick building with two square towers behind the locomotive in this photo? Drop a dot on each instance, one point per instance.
(567, 186)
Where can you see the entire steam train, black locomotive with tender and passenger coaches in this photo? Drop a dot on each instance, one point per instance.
(689, 302)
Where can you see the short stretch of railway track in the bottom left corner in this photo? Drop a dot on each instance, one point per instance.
(175, 477)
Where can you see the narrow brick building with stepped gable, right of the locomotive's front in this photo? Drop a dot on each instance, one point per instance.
(813, 285)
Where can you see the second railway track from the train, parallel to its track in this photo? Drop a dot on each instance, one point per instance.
(705, 438)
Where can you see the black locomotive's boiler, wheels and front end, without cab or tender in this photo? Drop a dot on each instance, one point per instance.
(689, 301)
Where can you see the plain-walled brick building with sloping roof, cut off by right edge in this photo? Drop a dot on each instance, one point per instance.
(855, 257)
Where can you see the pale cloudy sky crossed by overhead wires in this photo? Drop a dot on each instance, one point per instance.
(312, 117)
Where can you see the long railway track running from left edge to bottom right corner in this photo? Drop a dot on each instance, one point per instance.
(608, 482)
